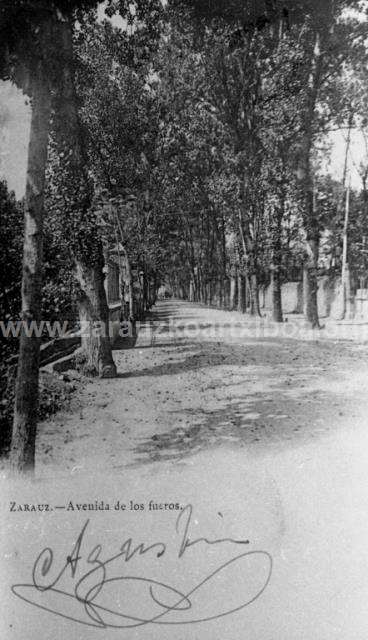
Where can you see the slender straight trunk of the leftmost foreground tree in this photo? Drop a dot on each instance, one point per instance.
(22, 457)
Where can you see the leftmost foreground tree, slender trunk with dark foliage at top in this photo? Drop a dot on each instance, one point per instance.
(29, 56)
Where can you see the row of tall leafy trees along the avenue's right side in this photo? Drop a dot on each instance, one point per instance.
(254, 115)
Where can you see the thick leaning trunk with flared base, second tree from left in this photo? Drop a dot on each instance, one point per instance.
(86, 244)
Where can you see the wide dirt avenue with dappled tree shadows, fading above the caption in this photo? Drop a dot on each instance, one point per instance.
(199, 379)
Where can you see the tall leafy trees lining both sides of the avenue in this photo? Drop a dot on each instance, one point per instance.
(192, 139)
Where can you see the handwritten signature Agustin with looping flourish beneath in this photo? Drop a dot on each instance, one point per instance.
(101, 599)
